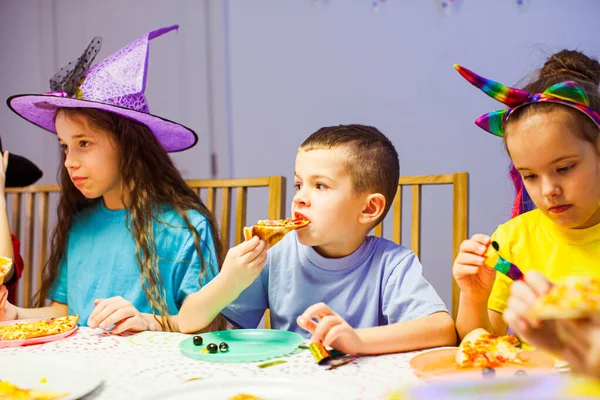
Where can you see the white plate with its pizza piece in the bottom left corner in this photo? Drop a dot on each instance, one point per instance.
(47, 378)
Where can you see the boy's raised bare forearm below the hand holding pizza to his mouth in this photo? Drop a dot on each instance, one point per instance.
(201, 308)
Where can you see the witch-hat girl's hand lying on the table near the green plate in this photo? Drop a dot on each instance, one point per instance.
(118, 312)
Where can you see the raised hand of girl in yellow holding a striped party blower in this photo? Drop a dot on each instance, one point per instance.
(474, 278)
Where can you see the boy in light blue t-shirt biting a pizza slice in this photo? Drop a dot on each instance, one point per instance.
(360, 294)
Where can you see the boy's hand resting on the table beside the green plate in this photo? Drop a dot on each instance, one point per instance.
(331, 329)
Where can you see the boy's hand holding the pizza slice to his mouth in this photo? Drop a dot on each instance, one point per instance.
(244, 262)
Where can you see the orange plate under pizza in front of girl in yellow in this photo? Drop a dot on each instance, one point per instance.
(441, 365)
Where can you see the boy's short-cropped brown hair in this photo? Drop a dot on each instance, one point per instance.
(373, 162)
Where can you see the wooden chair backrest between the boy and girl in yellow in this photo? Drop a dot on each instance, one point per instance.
(460, 212)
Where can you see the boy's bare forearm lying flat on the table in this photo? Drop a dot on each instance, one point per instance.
(431, 331)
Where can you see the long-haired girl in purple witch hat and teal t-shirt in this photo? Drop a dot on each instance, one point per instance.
(132, 239)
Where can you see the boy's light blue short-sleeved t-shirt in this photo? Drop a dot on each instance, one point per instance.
(381, 283)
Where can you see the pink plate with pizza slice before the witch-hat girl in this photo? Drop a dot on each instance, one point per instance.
(36, 331)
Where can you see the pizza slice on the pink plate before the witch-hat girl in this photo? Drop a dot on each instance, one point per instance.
(34, 329)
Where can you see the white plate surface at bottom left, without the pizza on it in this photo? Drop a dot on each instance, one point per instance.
(58, 375)
